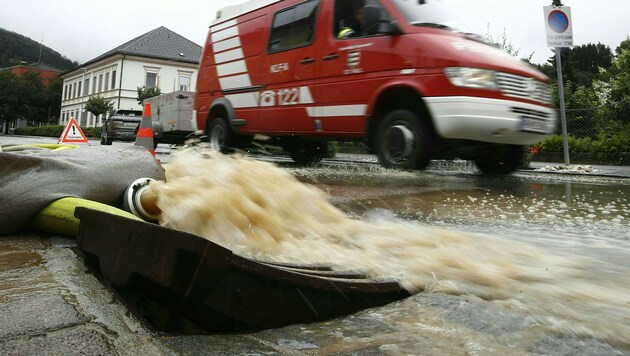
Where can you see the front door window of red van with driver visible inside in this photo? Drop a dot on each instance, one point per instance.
(350, 17)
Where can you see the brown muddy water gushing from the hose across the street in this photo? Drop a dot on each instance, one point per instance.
(263, 212)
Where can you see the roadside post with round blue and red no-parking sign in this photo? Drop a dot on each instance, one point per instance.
(560, 34)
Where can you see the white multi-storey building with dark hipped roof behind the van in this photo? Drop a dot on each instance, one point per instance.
(159, 58)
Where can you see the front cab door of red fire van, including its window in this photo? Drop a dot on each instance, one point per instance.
(351, 67)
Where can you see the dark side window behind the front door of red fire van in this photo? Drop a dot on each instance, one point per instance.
(293, 27)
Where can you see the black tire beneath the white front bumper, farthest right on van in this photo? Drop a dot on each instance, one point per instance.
(500, 159)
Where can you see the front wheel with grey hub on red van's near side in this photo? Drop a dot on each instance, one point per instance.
(403, 142)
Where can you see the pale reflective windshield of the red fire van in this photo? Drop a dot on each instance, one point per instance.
(430, 13)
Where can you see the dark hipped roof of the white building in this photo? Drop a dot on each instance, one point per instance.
(160, 43)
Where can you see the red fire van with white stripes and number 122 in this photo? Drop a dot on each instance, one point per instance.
(395, 74)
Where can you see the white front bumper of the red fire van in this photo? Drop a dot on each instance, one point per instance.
(490, 120)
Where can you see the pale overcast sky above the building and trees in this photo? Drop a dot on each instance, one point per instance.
(84, 29)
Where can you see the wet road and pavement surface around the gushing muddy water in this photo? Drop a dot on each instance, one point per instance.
(51, 302)
